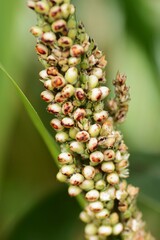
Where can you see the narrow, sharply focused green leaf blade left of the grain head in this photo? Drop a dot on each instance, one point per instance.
(47, 138)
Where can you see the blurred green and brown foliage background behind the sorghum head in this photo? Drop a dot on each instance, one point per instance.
(33, 205)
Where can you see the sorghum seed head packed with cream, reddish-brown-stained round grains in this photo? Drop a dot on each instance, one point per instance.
(94, 158)
